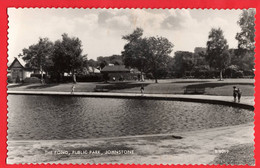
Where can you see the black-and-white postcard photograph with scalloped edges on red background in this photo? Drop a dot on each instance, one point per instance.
(131, 86)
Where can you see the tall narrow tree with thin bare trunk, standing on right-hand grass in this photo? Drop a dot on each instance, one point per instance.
(217, 51)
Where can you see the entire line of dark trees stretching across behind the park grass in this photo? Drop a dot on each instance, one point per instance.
(151, 55)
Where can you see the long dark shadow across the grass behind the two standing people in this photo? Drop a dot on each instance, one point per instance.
(213, 85)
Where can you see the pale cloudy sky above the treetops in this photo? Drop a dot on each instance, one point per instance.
(101, 30)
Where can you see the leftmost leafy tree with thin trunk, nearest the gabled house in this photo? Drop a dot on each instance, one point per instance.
(38, 56)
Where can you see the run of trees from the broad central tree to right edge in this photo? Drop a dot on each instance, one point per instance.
(151, 55)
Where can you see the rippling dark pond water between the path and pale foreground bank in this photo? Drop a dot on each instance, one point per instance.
(59, 117)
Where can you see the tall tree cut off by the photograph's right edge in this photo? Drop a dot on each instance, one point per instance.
(246, 42)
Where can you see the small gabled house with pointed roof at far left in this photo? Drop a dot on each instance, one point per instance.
(17, 69)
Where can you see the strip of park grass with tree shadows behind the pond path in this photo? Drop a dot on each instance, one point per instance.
(168, 86)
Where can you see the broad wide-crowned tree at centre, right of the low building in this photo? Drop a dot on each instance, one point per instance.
(146, 54)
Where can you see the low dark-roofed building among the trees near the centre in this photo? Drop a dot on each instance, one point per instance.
(119, 73)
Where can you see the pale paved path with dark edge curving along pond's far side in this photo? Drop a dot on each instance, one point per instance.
(246, 101)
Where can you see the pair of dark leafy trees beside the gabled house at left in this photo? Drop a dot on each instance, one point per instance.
(62, 56)
